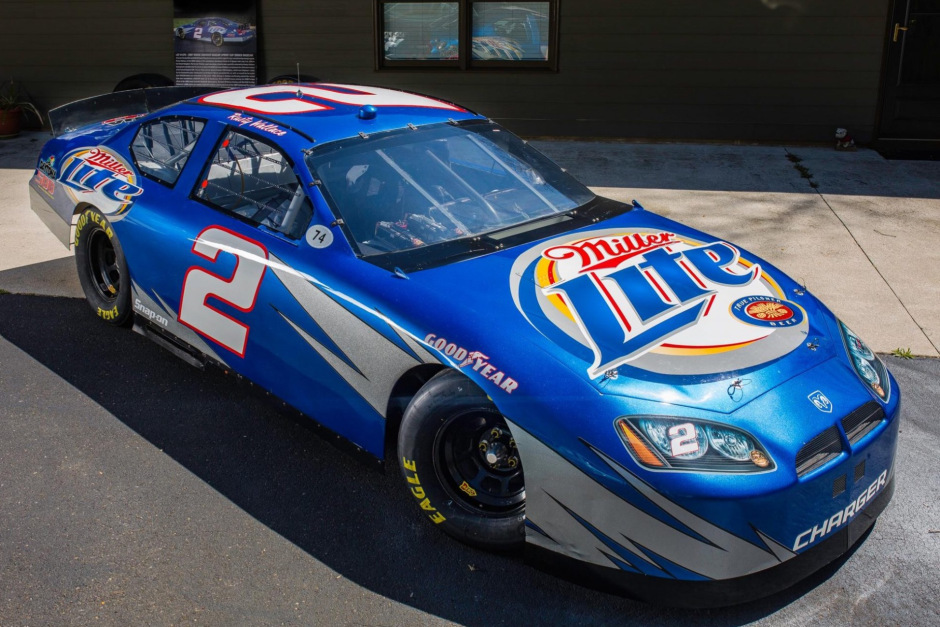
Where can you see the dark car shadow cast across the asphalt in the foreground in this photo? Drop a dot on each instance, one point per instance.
(269, 463)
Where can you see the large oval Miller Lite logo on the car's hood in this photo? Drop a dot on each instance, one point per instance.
(655, 300)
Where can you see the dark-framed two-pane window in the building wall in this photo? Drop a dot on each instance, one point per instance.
(467, 34)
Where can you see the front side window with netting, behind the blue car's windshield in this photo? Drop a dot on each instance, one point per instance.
(254, 181)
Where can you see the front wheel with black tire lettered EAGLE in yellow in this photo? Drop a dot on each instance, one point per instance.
(461, 465)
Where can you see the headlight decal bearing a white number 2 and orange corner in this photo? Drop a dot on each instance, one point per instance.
(668, 443)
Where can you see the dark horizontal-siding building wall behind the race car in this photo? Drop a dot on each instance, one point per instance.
(733, 70)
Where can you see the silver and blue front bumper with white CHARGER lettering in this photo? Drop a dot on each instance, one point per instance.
(634, 535)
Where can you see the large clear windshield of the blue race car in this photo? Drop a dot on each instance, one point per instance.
(416, 187)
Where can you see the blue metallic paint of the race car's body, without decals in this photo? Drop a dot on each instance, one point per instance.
(471, 306)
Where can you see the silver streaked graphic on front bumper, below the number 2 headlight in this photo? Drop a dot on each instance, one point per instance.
(636, 525)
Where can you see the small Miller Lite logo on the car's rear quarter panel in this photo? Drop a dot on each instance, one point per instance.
(101, 177)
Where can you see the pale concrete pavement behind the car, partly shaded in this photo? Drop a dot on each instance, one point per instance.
(861, 232)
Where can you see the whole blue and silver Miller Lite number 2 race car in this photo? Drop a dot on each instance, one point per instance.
(635, 403)
